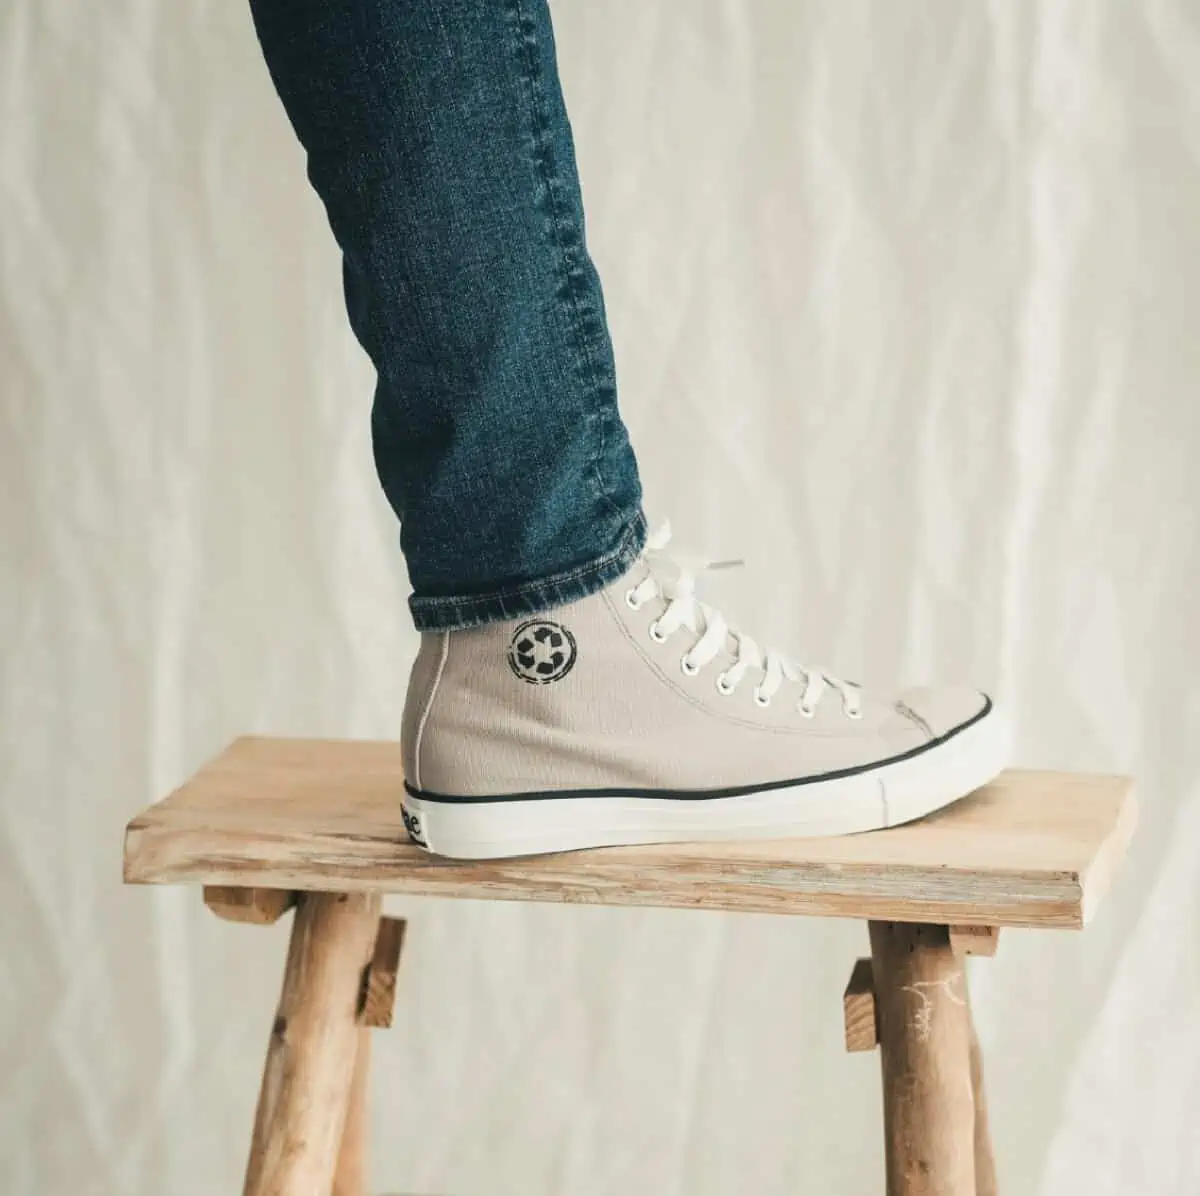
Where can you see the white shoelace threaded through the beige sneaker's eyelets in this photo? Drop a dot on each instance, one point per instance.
(674, 578)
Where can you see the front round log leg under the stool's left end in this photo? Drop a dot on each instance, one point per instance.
(311, 1057)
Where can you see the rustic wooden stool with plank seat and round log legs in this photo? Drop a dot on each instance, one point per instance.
(274, 824)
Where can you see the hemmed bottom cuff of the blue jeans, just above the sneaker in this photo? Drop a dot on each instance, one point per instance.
(531, 598)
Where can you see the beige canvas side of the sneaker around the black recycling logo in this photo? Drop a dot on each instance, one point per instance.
(625, 716)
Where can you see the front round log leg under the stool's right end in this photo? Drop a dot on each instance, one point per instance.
(925, 1043)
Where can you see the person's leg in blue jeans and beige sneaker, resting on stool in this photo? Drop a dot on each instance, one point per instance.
(625, 711)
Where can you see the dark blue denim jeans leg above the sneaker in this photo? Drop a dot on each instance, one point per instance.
(439, 141)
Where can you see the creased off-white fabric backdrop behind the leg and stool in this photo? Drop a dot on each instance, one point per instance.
(905, 302)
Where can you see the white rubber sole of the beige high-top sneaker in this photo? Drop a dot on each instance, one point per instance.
(887, 796)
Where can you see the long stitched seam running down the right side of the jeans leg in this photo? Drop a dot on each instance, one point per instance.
(529, 43)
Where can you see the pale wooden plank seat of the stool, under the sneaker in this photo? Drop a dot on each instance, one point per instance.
(1029, 850)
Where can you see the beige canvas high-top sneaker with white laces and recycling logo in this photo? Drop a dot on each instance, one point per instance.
(638, 717)
